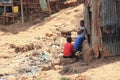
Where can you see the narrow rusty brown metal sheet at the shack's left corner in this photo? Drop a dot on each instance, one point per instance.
(92, 9)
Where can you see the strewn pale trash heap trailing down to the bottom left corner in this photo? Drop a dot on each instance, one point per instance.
(30, 64)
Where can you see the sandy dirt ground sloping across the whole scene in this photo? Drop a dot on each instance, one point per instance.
(47, 34)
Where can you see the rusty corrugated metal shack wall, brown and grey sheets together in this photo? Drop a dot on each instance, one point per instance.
(105, 27)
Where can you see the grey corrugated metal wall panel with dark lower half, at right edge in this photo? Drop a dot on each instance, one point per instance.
(111, 22)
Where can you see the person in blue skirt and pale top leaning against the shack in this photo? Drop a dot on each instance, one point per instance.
(80, 36)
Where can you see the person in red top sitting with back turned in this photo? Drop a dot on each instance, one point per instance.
(69, 49)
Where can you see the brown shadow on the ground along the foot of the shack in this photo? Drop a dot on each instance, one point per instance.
(81, 67)
